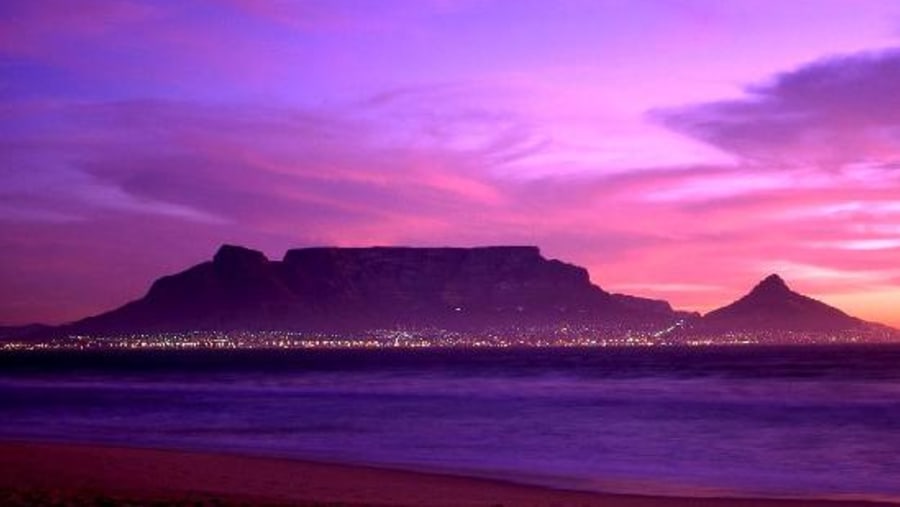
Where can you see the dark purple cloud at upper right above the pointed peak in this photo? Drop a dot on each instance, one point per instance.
(834, 111)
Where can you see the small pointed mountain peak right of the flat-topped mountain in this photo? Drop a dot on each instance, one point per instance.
(772, 305)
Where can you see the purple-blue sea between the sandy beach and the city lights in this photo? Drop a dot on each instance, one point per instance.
(807, 422)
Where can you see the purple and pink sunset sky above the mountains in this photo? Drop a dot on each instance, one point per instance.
(677, 149)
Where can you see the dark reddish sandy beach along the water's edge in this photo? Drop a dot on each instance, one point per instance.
(68, 474)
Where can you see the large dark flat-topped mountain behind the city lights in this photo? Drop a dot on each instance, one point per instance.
(342, 289)
